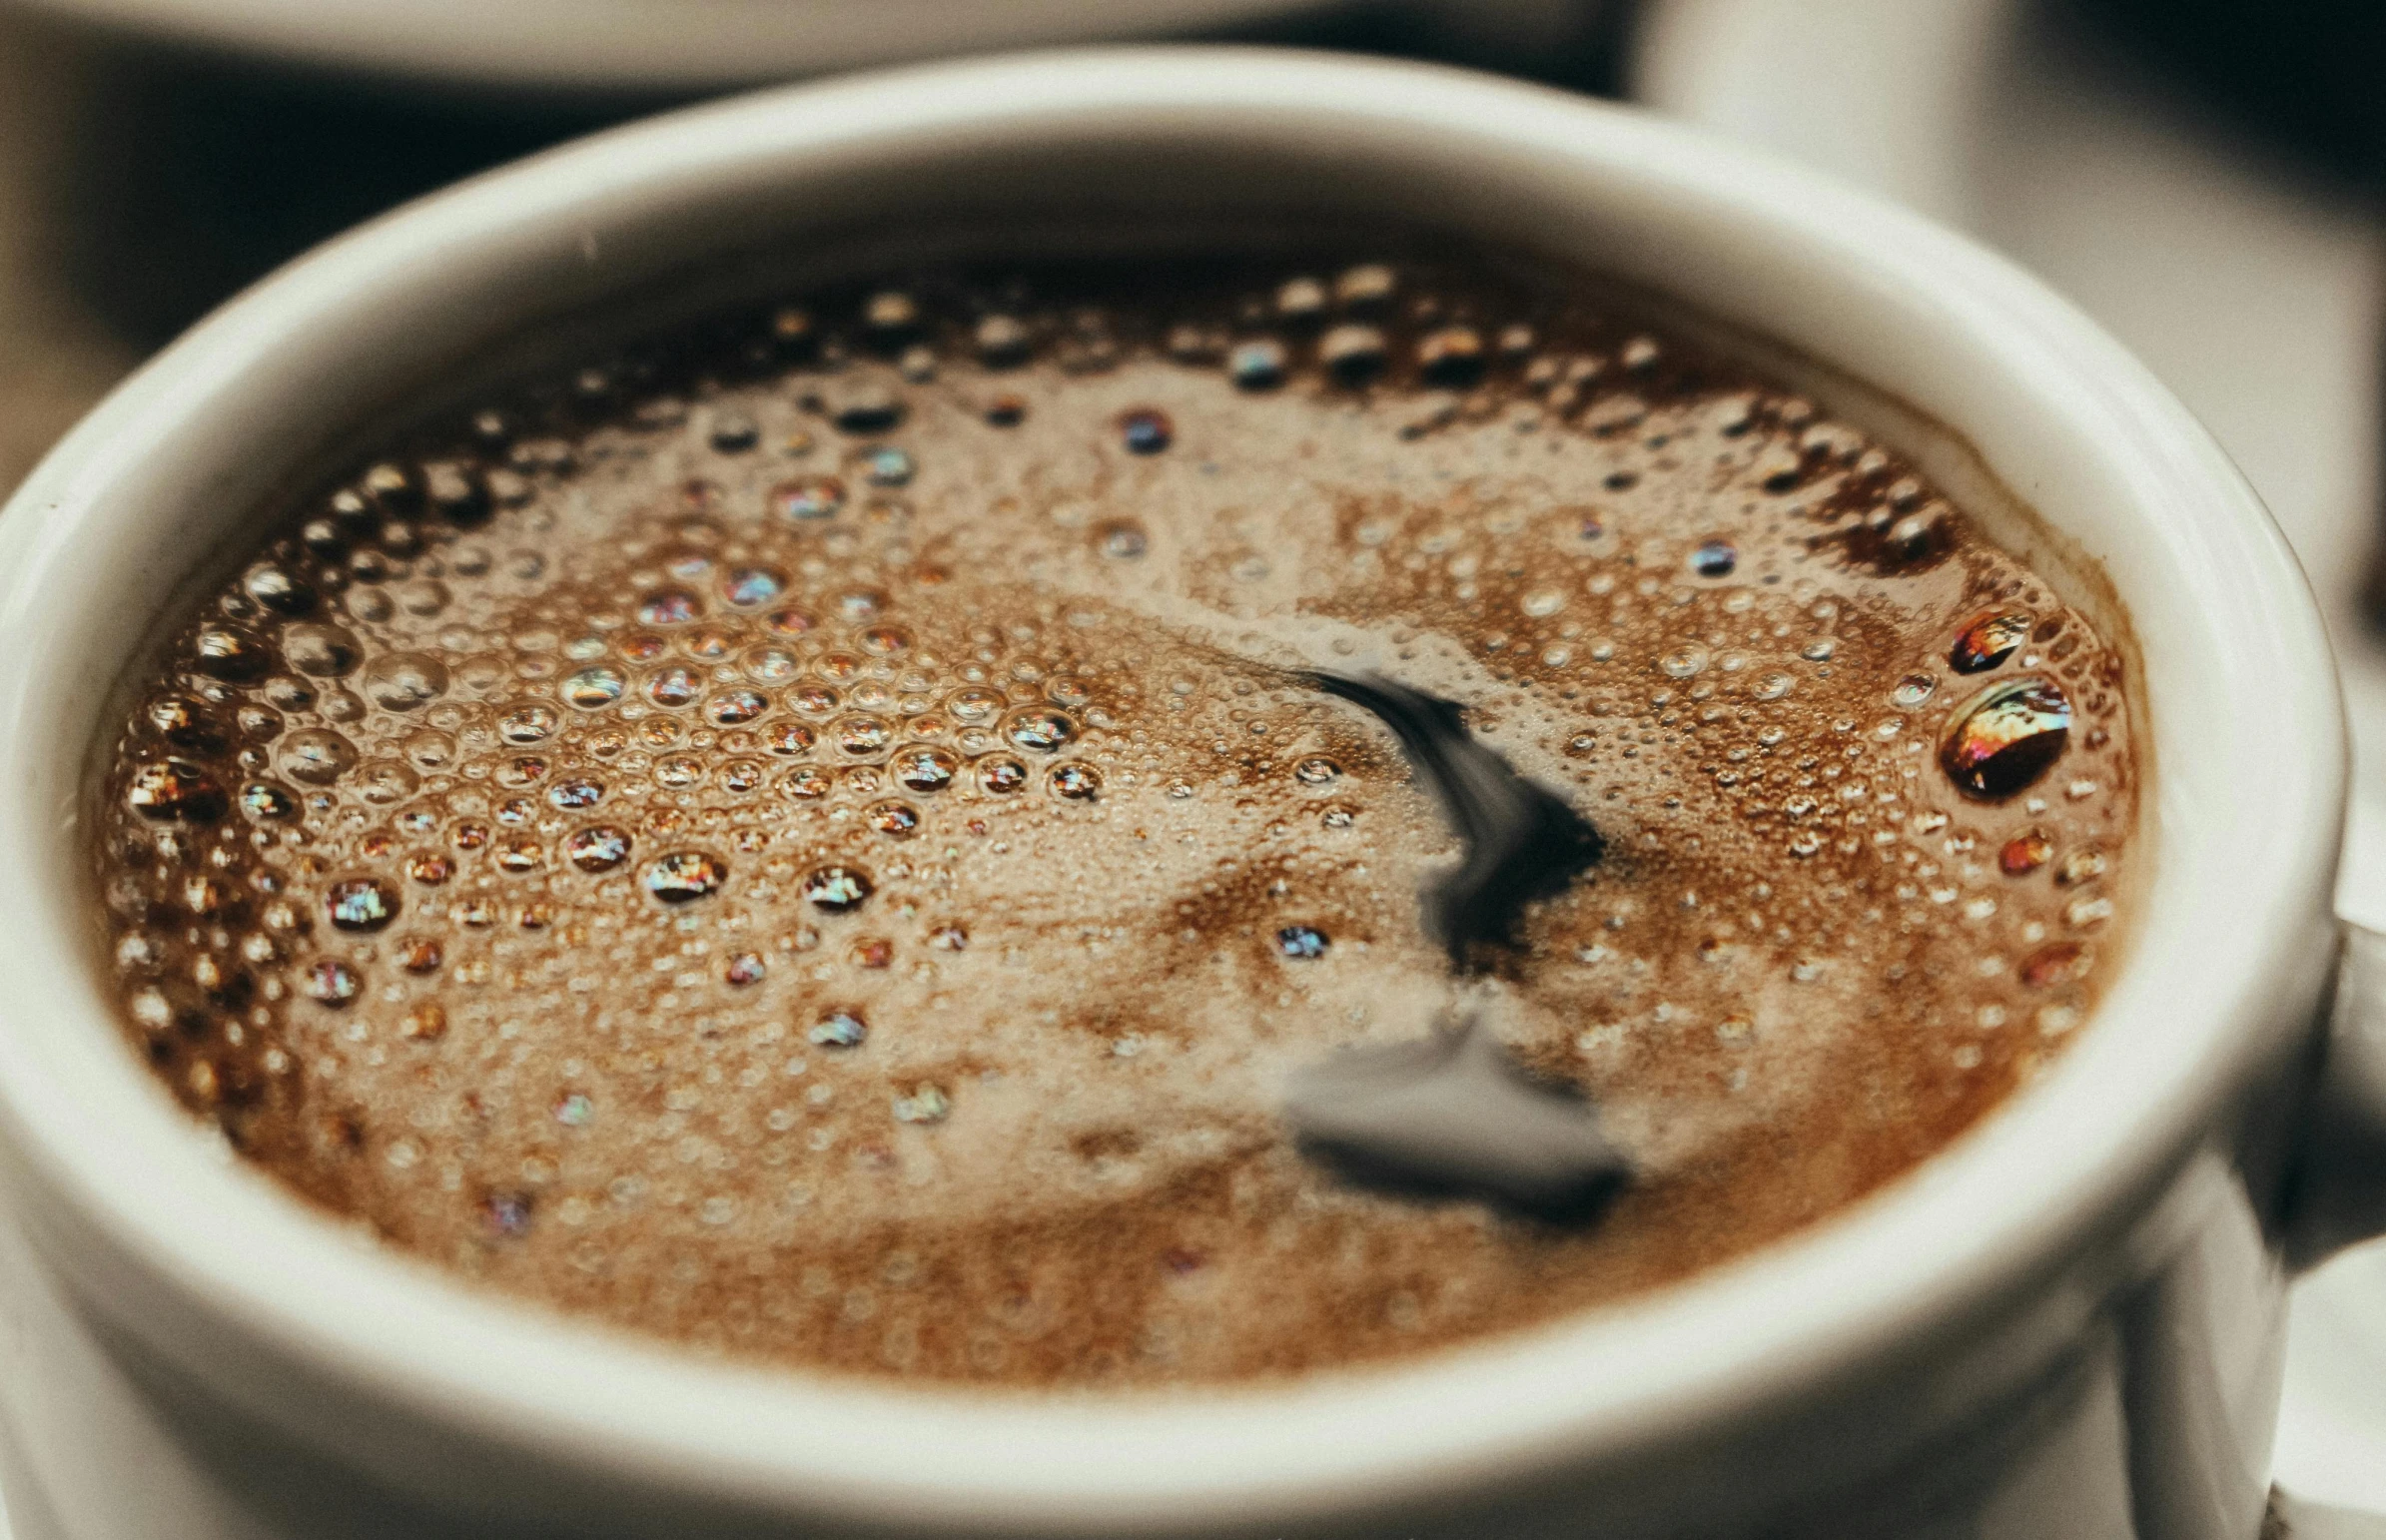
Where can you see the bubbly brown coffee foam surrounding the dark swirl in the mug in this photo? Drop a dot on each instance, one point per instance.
(810, 837)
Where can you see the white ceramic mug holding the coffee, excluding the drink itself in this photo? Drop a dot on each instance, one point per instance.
(2060, 1329)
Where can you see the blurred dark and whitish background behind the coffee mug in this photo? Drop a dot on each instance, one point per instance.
(2208, 178)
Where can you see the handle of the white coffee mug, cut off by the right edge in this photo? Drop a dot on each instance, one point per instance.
(2339, 1185)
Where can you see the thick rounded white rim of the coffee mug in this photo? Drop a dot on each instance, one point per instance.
(1979, 1221)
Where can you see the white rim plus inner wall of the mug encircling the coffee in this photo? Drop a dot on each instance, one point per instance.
(113, 529)
